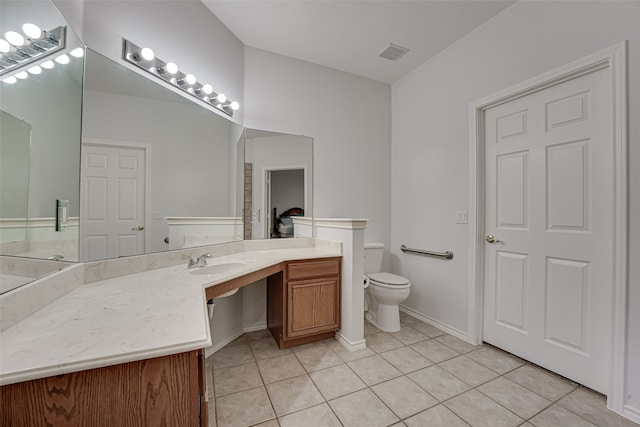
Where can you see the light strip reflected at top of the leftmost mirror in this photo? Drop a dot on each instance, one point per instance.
(49, 43)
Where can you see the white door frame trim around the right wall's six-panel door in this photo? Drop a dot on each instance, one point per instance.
(615, 59)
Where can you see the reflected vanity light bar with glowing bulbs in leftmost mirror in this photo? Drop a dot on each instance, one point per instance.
(17, 50)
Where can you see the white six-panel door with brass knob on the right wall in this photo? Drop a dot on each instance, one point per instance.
(549, 215)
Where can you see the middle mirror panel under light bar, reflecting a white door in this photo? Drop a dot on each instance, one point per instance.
(159, 171)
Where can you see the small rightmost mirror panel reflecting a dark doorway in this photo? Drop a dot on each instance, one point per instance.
(278, 183)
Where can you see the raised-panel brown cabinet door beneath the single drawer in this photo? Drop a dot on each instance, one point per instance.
(313, 306)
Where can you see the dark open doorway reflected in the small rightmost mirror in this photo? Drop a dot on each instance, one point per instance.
(285, 199)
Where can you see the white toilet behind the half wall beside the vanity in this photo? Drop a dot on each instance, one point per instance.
(384, 292)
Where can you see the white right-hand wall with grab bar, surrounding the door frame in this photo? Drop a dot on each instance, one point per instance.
(430, 158)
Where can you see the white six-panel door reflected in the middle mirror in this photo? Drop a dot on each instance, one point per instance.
(113, 202)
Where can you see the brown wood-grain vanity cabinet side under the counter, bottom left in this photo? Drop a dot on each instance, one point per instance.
(163, 391)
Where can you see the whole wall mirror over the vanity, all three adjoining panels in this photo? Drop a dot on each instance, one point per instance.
(135, 167)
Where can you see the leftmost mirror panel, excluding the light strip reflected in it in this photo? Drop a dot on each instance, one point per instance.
(40, 115)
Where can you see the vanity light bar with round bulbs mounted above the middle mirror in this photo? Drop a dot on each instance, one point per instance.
(145, 59)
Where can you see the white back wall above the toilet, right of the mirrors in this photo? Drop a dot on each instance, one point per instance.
(349, 118)
